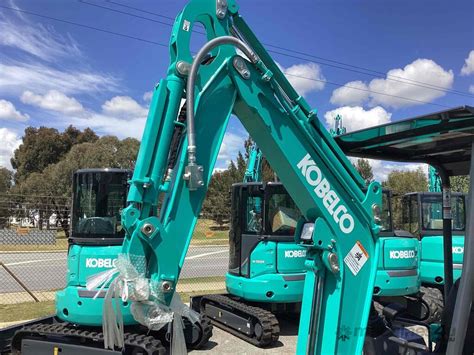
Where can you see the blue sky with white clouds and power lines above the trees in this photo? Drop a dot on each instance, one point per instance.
(55, 74)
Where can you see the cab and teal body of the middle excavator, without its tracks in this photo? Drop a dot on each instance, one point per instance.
(262, 245)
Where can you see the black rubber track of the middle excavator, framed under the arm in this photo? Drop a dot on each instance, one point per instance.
(268, 321)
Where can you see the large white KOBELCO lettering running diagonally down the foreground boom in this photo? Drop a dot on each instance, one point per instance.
(322, 189)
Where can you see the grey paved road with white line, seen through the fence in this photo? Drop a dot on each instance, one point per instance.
(46, 271)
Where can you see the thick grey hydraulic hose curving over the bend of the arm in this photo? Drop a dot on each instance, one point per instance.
(200, 56)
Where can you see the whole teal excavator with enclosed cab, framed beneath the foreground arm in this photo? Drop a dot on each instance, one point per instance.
(266, 266)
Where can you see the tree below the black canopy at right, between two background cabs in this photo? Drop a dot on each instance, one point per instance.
(402, 182)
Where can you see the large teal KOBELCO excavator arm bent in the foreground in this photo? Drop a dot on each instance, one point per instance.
(177, 158)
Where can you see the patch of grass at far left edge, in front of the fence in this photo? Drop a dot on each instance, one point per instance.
(26, 311)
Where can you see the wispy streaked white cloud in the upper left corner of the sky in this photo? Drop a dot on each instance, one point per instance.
(40, 59)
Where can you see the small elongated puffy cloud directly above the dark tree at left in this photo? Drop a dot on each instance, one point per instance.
(53, 100)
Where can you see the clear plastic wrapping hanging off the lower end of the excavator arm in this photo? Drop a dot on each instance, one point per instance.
(147, 307)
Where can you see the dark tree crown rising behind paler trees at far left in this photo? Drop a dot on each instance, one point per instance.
(44, 146)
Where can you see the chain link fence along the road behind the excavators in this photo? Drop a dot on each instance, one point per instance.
(33, 251)
